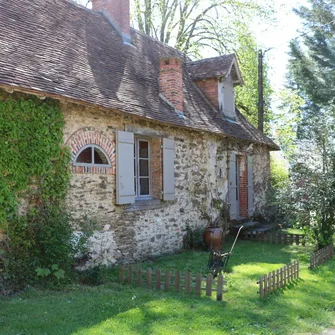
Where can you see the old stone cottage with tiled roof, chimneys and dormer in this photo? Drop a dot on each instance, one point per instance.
(156, 140)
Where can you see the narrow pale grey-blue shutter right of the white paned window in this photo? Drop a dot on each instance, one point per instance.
(168, 169)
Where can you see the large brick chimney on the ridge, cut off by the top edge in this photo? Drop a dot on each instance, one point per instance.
(118, 13)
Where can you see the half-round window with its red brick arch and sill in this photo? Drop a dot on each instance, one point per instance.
(92, 152)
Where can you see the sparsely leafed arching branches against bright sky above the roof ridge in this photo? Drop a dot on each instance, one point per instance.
(190, 25)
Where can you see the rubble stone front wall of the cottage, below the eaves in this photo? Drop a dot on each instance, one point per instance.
(150, 228)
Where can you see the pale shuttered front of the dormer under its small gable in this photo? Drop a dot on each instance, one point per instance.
(227, 97)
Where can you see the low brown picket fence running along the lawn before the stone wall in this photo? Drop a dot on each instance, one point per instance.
(172, 281)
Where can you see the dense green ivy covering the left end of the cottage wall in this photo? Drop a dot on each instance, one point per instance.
(36, 236)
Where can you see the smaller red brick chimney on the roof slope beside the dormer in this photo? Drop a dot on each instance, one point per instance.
(171, 81)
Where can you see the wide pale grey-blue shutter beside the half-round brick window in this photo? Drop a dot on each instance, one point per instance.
(125, 191)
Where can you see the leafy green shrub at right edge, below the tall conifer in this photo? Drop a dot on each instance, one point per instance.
(313, 196)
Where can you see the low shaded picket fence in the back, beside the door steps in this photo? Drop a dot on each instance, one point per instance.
(275, 237)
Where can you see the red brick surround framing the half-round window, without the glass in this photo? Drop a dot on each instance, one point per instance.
(86, 136)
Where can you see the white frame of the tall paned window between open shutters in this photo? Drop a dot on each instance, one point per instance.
(137, 167)
